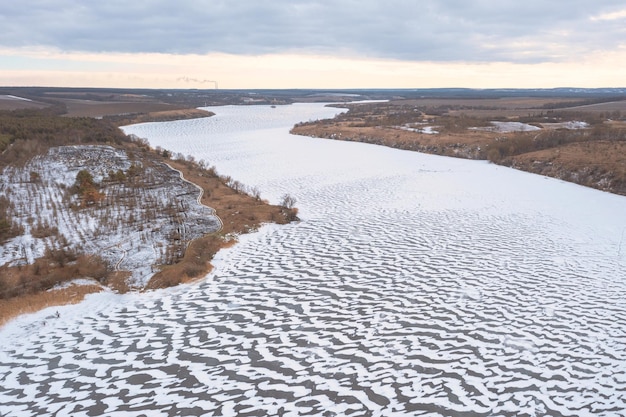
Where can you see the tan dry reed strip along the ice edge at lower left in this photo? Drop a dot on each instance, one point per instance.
(13, 307)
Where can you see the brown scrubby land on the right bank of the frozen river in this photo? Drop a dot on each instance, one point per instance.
(591, 156)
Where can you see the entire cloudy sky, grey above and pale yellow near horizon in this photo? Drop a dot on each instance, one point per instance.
(306, 43)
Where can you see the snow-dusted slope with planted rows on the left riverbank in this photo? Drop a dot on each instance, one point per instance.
(130, 230)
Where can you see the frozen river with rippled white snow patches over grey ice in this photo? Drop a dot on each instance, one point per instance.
(414, 285)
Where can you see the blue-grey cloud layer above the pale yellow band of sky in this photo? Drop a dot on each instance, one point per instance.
(479, 30)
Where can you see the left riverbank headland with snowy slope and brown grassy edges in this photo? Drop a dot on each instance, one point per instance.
(129, 213)
